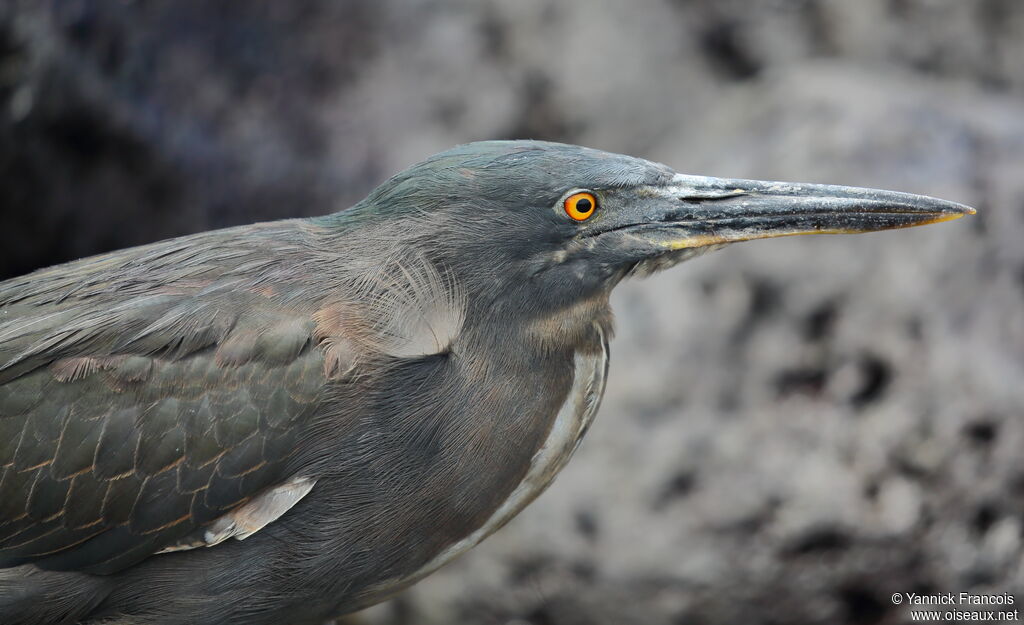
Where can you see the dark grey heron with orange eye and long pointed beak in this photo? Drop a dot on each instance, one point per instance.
(293, 421)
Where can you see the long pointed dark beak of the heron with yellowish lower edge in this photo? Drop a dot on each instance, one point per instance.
(698, 212)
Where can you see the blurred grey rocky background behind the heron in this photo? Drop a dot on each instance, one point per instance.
(794, 430)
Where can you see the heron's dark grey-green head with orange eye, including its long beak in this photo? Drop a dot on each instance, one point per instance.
(551, 225)
